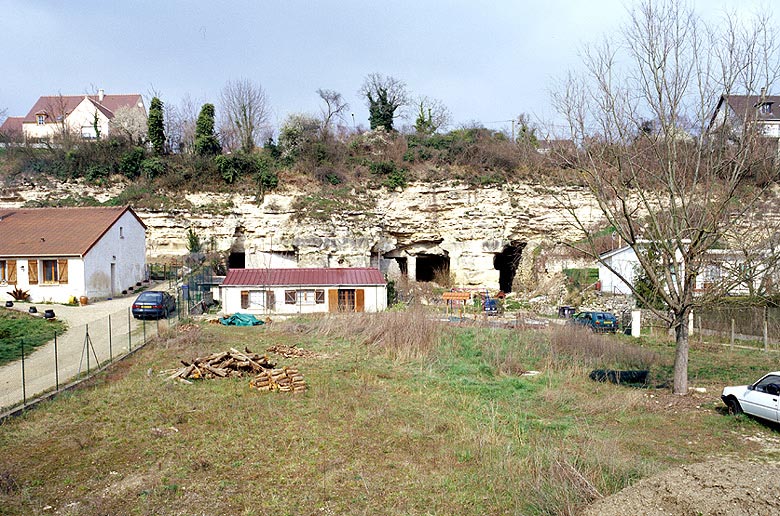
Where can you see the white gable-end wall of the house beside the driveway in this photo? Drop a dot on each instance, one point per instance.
(124, 245)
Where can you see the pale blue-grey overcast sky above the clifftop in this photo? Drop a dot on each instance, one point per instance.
(487, 61)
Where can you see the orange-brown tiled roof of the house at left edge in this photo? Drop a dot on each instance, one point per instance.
(55, 231)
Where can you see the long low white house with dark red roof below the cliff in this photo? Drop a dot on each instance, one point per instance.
(302, 291)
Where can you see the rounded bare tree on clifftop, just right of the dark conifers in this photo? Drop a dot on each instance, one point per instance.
(245, 111)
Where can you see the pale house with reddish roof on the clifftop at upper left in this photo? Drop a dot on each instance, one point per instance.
(88, 116)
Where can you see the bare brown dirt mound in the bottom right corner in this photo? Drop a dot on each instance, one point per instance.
(717, 487)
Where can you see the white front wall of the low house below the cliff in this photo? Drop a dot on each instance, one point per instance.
(375, 298)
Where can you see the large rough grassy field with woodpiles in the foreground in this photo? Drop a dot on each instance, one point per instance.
(402, 416)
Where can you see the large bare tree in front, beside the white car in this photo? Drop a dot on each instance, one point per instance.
(675, 189)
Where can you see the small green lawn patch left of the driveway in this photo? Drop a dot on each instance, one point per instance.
(16, 327)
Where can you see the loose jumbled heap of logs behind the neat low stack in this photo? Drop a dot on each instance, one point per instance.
(226, 364)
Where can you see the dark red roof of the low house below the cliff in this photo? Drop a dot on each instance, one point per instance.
(304, 277)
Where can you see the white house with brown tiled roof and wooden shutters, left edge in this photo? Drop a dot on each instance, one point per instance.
(59, 253)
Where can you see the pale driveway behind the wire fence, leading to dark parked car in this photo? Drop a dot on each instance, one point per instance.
(40, 373)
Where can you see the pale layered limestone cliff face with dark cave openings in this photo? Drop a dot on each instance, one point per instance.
(479, 233)
